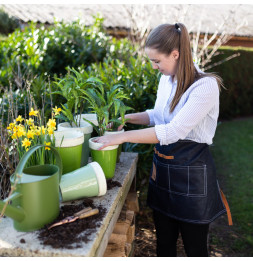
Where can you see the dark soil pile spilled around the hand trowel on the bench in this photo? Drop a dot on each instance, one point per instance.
(79, 231)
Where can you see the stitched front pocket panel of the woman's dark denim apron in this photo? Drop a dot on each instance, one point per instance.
(181, 180)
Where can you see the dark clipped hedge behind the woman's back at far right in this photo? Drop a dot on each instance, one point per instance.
(236, 101)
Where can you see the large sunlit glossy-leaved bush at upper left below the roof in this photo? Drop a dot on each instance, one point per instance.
(49, 51)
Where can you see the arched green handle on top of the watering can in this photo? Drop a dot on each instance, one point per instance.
(27, 155)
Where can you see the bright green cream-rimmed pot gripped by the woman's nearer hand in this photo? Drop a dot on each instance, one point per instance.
(106, 158)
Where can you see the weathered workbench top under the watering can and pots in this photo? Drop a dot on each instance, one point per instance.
(113, 201)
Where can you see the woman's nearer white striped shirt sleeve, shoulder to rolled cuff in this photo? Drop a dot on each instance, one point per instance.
(200, 101)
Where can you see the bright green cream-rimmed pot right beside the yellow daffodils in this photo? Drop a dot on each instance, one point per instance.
(69, 144)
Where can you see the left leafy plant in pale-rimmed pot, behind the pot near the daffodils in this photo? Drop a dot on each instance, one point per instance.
(70, 88)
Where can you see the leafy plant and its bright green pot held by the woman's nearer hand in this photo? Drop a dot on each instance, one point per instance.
(103, 103)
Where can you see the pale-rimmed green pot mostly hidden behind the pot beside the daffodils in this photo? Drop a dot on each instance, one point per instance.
(86, 129)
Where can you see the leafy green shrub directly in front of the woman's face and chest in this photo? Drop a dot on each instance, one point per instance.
(136, 75)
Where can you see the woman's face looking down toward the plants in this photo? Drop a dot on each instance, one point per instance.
(166, 64)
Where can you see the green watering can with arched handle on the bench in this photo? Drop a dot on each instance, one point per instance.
(36, 199)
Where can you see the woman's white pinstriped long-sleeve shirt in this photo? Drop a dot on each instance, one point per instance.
(195, 116)
